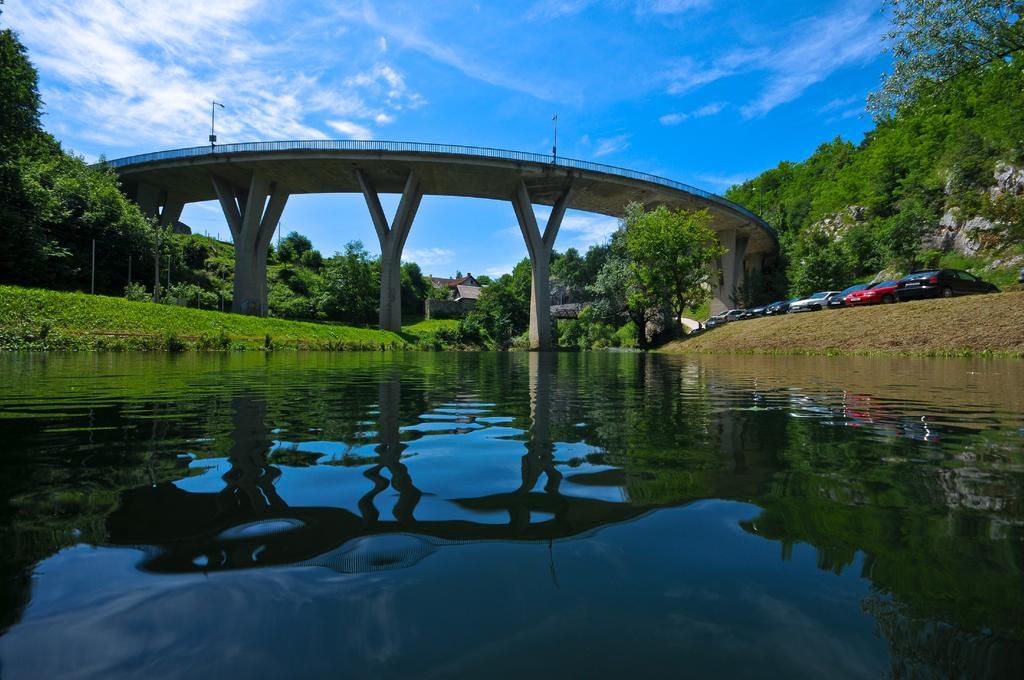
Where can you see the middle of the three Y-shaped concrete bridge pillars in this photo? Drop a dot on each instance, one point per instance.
(393, 241)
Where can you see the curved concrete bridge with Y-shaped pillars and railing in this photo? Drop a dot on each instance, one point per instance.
(252, 182)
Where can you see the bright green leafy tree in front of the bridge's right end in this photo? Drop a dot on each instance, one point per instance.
(671, 256)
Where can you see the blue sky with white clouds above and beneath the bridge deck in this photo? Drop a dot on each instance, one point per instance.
(708, 93)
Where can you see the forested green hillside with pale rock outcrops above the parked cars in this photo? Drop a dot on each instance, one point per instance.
(940, 183)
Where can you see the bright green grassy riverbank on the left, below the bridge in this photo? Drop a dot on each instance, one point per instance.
(42, 320)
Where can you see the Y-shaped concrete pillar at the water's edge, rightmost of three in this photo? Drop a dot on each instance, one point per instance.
(539, 246)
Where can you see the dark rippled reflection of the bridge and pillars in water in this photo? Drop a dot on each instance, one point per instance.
(249, 525)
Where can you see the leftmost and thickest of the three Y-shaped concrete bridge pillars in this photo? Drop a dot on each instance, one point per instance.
(252, 216)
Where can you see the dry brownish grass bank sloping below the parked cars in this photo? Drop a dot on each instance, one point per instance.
(967, 326)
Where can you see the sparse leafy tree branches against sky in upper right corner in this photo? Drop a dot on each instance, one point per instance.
(934, 41)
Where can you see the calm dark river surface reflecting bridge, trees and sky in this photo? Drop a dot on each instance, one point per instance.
(499, 516)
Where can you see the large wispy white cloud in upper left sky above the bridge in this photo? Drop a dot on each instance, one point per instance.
(137, 73)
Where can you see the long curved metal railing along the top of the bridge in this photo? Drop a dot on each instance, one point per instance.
(426, 148)
